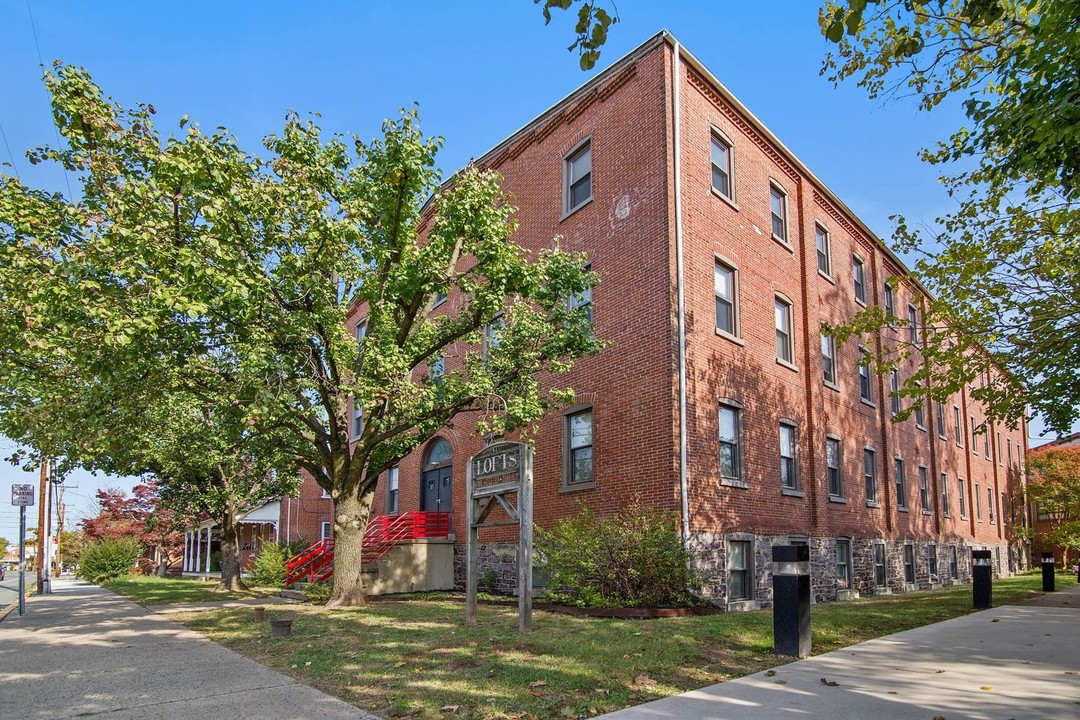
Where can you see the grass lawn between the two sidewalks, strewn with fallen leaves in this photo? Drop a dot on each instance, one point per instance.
(415, 657)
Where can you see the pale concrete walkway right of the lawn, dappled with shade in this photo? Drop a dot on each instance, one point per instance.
(1014, 662)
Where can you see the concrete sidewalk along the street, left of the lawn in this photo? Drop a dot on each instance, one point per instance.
(87, 653)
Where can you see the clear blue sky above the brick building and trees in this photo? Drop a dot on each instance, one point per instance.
(479, 71)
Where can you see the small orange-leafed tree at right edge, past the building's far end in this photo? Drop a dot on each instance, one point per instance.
(1055, 487)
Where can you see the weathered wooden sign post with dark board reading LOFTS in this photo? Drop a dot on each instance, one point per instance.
(493, 476)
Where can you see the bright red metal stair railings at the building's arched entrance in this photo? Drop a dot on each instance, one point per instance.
(317, 563)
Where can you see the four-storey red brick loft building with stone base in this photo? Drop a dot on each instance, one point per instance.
(721, 256)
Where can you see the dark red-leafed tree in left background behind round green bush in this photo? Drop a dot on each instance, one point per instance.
(142, 517)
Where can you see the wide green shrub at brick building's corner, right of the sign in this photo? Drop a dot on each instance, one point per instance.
(632, 560)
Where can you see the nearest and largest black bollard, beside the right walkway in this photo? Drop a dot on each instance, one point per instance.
(791, 595)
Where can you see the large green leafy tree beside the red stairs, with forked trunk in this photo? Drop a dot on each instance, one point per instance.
(236, 280)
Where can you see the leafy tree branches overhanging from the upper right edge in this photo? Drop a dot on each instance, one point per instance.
(1003, 268)
